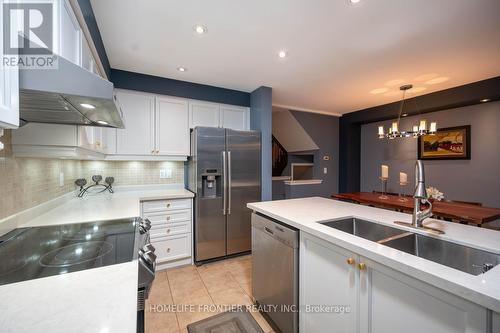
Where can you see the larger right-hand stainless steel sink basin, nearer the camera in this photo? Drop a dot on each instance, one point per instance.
(463, 258)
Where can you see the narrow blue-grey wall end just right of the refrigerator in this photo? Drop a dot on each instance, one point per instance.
(261, 101)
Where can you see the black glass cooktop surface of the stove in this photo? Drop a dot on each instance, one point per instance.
(31, 253)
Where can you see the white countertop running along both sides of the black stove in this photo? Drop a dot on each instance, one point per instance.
(96, 300)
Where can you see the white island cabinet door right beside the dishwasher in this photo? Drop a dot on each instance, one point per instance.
(328, 287)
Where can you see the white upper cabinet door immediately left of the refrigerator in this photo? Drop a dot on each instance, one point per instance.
(172, 126)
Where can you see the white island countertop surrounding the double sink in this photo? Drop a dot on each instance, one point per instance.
(304, 214)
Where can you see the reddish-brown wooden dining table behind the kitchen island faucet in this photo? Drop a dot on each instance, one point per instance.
(462, 212)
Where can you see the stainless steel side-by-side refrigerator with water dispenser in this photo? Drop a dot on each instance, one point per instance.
(224, 173)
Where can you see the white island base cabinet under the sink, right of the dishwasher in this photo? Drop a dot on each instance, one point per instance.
(380, 299)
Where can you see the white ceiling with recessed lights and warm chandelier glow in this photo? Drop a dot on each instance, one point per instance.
(338, 52)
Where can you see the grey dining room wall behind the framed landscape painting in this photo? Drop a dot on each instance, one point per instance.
(471, 180)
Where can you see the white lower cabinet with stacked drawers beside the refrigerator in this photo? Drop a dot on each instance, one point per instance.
(171, 230)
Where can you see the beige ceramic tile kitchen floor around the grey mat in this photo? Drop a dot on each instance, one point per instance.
(180, 296)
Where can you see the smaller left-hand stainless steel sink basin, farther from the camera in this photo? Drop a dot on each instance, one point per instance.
(364, 229)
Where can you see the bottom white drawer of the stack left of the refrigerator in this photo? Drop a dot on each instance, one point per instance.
(172, 247)
